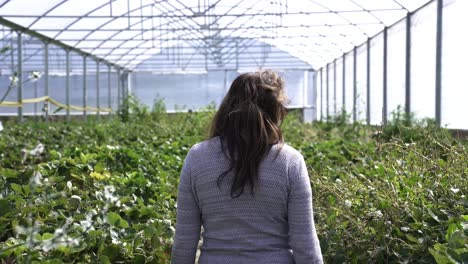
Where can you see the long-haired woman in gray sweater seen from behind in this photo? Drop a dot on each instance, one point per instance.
(249, 190)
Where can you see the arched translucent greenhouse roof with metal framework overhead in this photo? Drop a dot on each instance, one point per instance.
(126, 33)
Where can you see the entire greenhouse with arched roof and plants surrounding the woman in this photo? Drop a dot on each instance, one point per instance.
(100, 102)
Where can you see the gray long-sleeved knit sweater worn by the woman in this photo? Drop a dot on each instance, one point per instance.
(276, 225)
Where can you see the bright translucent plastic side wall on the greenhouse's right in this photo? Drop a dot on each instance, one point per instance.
(399, 74)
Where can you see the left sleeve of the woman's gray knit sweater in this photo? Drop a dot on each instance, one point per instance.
(188, 220)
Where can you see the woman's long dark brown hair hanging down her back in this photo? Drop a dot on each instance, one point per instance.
(248, 122)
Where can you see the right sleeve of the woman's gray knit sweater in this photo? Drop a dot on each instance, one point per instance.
(302, 234)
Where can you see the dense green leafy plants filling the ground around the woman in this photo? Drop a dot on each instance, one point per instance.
(105, 191)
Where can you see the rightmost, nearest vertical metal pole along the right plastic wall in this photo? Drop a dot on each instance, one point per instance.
(438, 83)
